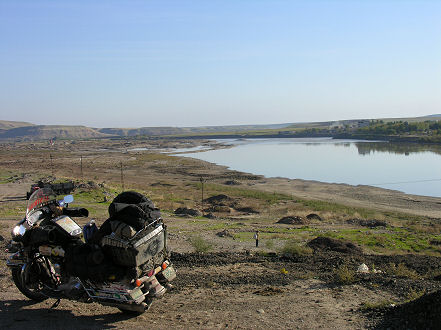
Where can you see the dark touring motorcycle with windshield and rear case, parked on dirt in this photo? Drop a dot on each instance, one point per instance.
(51, 258)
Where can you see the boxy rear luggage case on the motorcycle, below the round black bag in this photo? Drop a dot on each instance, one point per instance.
(146, 244)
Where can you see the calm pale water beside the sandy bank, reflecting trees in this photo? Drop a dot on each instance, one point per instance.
(411, 168)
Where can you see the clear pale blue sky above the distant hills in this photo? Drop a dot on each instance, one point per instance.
(192, 63)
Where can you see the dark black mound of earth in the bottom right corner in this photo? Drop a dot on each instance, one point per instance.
(421, 313)
